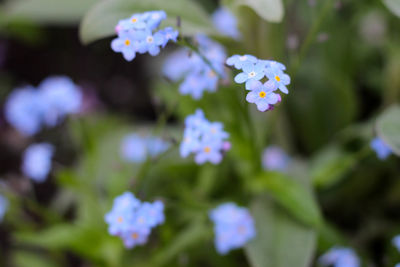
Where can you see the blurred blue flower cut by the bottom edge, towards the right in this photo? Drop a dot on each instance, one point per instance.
(340, 257)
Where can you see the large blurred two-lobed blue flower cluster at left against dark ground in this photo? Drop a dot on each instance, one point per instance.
(28, 108)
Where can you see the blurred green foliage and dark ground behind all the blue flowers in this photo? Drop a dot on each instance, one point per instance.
(344, 61)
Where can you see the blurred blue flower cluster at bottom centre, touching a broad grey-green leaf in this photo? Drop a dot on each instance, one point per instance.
(233, 227)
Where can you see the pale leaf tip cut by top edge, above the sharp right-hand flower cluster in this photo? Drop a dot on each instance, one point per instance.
(269, 10)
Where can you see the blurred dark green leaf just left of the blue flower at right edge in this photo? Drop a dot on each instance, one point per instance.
(330, 165)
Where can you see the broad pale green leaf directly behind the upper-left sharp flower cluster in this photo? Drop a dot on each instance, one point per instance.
(101, 20)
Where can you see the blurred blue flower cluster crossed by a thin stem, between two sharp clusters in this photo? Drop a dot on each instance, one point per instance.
(198, 74)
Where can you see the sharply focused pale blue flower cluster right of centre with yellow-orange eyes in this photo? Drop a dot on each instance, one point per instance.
(253, 71)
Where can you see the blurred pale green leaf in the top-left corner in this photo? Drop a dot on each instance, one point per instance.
(48, 11)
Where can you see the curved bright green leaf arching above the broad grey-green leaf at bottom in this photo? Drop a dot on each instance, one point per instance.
(291, 194)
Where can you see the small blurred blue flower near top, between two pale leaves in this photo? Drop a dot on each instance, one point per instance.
(226, 23)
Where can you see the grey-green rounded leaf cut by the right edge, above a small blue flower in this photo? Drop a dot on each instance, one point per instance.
(388, 128)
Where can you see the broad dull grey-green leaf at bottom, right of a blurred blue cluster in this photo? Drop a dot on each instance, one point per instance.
(280, 241)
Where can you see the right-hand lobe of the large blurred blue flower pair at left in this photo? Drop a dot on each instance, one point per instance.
(61, 97)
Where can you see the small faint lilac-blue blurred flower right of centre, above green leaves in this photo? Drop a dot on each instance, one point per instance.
(274, 158)
